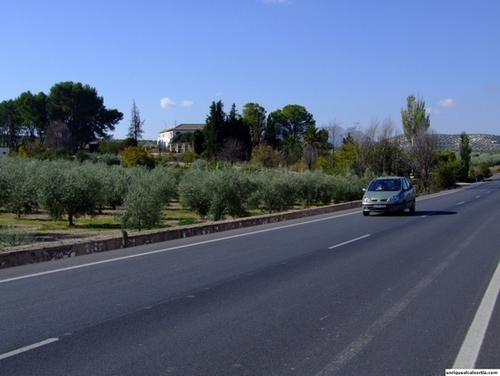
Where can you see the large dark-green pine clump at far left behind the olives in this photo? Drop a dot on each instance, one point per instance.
(72, 115)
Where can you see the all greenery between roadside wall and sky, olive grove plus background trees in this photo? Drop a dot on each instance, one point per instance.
(58, 182)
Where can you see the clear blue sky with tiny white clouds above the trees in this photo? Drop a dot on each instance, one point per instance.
(350, 61)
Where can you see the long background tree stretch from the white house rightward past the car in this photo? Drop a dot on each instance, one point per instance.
(289, 137)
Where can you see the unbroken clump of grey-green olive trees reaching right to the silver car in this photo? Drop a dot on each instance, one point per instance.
(234, 192)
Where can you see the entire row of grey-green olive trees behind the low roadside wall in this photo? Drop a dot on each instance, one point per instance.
(70, 189)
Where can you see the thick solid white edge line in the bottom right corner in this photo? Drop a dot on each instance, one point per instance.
(467, 356)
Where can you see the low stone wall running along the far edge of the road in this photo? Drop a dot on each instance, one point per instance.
(41, 252)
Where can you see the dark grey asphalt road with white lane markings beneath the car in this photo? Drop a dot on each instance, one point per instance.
(337, 294)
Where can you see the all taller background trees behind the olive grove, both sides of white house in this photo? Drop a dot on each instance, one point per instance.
(72, 115)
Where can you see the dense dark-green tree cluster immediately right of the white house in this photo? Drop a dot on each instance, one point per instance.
(291, 131)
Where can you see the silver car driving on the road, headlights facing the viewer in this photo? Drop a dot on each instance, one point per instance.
(389, 194)
